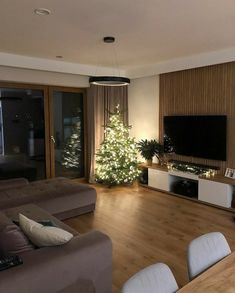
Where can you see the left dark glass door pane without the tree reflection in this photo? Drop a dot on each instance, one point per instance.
(22, 133)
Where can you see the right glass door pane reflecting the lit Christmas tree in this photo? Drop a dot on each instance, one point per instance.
(68, 137)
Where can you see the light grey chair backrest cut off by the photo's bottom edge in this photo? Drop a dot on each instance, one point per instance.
(156, 278)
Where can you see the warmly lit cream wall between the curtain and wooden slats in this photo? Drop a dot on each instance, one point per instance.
(143, 104)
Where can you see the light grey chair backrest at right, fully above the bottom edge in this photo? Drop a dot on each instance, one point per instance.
(205, 251)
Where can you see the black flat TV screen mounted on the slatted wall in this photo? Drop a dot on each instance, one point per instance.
(197, 136)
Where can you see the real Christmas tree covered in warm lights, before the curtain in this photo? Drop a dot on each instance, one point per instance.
(117, 157)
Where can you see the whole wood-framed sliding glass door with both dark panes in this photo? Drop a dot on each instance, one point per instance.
(41, 131)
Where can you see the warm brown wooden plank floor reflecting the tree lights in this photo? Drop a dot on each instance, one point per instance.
(147, 226)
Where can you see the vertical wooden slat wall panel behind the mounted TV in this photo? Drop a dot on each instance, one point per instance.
(206, 90)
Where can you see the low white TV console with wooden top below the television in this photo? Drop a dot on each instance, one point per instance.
(216, 190)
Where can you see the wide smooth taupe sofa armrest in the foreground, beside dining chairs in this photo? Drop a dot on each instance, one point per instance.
(51, 269)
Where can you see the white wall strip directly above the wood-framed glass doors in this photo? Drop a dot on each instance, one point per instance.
(42, 77)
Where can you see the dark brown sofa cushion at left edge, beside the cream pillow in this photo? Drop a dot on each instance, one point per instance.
(12, 238)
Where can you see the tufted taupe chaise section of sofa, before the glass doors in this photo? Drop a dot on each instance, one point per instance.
(61, 197)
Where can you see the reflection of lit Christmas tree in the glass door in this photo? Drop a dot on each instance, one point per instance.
(72, 150)
